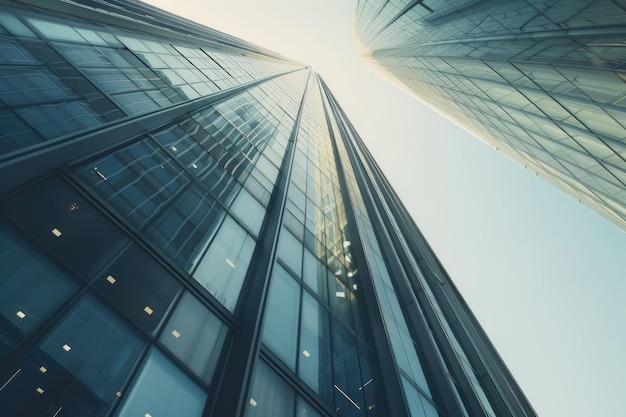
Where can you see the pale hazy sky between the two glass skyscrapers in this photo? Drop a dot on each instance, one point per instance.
(543, 274)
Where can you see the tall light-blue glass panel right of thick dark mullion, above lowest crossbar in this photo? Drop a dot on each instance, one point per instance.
(280, 329)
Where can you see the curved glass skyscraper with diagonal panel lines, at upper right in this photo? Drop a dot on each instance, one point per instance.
(543, 82)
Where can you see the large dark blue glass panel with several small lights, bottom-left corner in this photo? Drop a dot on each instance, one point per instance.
(80, 368)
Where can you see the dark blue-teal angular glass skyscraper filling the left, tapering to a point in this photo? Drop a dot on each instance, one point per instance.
(190, 226)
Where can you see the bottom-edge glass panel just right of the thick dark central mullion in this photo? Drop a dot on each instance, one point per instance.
(269, 395)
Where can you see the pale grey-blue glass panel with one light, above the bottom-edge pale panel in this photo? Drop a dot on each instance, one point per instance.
(195, 336)
